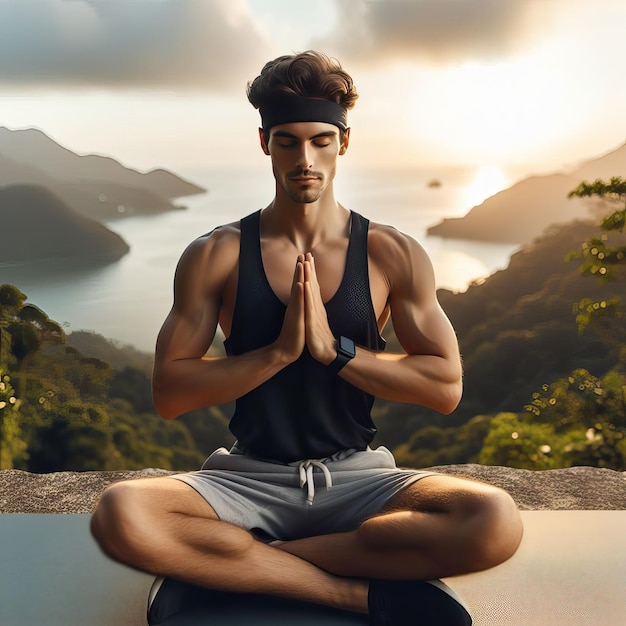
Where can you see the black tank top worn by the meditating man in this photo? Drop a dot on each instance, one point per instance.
(304, 411)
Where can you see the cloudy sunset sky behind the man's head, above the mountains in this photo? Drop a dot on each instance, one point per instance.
(497, 85)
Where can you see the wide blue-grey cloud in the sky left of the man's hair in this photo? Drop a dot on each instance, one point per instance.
(208, 45)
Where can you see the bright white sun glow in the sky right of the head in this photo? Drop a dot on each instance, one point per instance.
(482, 112)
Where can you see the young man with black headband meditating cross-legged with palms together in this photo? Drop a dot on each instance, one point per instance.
(302, 290)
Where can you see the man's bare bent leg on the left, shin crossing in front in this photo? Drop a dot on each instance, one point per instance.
(164, 527)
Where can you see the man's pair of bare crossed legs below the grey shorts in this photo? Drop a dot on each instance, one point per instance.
(439, 526)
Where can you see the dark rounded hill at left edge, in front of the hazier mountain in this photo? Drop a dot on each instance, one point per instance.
(37, 225)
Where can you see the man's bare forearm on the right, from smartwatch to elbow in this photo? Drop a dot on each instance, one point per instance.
(428, 380)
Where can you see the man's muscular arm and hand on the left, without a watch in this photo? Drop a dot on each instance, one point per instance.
(184, 378)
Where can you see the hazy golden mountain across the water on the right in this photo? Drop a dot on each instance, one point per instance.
(521, 213)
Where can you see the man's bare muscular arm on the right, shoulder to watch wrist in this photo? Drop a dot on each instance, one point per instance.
(430, 372)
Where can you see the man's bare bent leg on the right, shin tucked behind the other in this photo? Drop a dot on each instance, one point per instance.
(438, 527)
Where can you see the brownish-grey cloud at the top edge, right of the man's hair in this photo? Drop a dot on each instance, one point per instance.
(434, 30)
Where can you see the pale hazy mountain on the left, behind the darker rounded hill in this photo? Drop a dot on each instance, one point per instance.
(93, 185)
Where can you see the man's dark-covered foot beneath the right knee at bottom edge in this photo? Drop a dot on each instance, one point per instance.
(415, 602)
